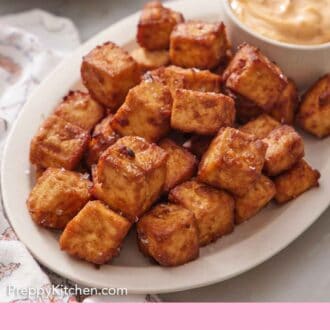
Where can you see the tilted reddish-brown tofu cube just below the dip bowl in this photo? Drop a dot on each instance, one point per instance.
(252, 75)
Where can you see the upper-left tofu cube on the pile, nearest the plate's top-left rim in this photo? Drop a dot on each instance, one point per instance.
(109, 72)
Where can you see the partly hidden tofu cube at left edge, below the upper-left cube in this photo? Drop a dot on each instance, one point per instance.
(80, 109)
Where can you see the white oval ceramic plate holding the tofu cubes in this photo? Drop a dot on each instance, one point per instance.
(251, 243)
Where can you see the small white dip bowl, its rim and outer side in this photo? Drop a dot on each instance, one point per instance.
(303, 63)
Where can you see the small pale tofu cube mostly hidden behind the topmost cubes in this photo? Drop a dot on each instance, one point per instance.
(149, 60)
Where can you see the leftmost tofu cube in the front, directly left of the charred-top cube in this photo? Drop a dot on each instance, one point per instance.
(57, 197)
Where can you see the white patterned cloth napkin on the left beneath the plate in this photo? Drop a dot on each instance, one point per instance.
(31, 44)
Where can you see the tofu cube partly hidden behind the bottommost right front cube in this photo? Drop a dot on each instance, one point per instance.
(213, 209)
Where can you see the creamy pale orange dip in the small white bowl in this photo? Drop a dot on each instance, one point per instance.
(305, 22)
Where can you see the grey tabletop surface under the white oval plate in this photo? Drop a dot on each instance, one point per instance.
(299, 273)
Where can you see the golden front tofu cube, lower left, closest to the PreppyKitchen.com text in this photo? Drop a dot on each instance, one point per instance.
(95, 234)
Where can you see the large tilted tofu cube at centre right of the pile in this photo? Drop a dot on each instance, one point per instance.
(233, 161)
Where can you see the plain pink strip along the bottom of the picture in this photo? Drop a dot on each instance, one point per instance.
(165, 316)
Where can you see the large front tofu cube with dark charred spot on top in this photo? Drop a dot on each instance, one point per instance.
(130, 175)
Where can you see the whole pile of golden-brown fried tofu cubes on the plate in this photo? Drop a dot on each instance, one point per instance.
(182, 139)
